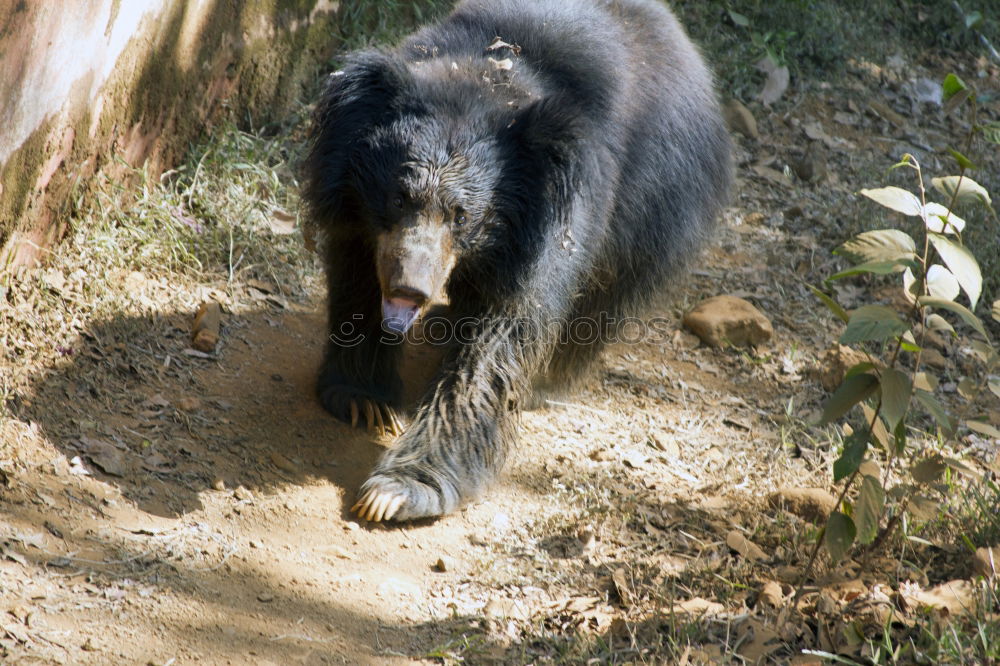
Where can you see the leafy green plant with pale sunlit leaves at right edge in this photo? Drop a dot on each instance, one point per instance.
(935, 272)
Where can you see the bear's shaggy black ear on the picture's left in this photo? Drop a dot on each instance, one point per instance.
(358, 98)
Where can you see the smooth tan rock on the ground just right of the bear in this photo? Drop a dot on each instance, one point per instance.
(728, 320)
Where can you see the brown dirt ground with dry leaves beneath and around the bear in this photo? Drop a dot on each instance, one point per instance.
(165, 507)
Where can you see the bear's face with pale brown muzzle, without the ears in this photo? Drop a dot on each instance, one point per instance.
(427, 195)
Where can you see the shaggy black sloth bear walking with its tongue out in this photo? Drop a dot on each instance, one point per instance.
(520, 165)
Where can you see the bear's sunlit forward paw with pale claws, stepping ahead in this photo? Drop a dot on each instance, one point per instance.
(400, 495)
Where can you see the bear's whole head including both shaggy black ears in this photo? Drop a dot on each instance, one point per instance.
(447, 175)
